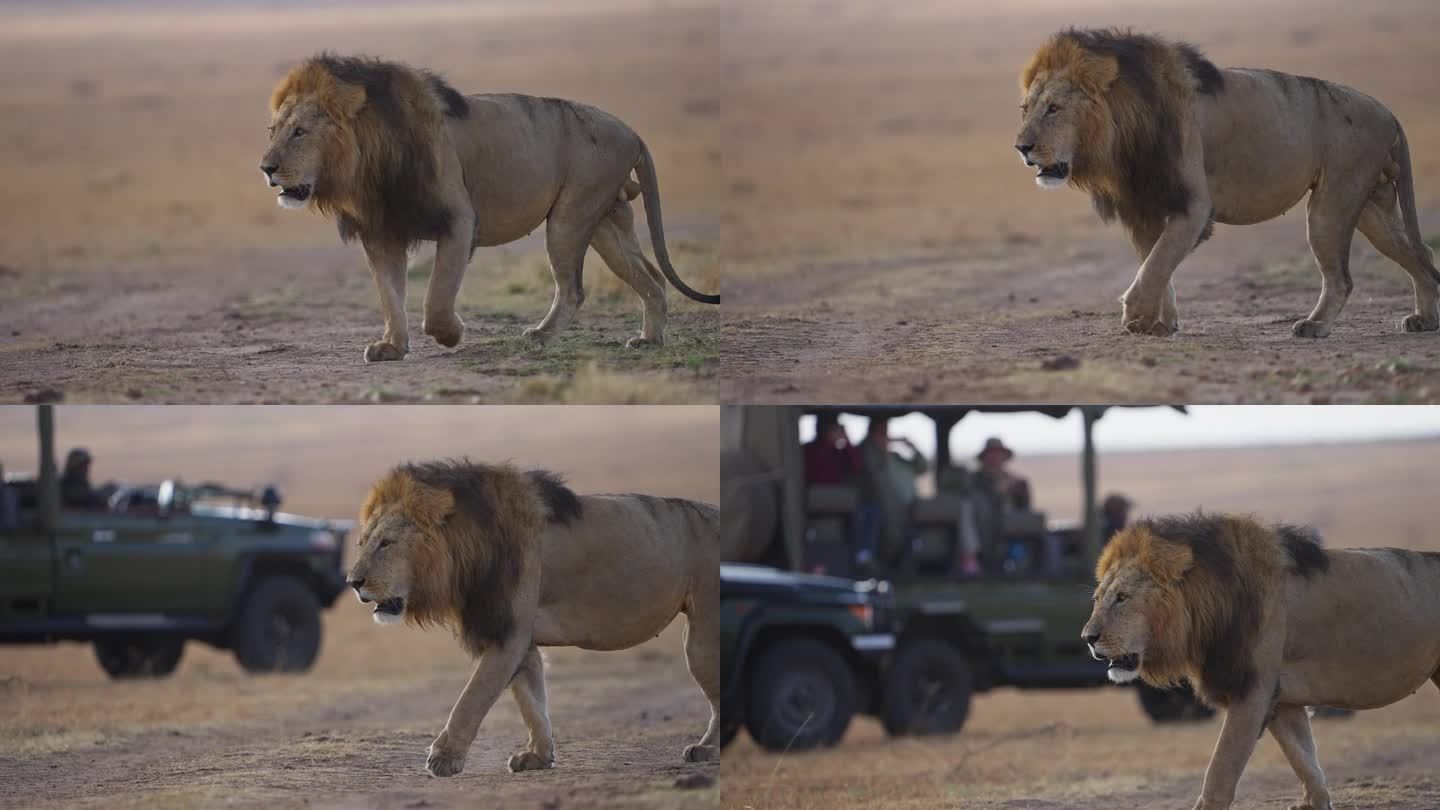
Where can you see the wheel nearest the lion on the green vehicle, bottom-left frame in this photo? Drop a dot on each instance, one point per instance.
(279, 628)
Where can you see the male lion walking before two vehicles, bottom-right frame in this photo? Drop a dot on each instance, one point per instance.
(1264, 623)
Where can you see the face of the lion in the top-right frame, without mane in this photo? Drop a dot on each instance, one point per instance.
(1052, 122)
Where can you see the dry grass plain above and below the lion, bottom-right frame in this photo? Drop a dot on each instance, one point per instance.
(1095, 750)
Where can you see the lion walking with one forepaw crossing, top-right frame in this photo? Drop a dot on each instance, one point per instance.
(1171, 145)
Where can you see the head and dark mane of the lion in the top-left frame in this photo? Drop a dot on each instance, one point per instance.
(356, 138)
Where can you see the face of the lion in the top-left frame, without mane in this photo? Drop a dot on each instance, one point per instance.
(306, 142)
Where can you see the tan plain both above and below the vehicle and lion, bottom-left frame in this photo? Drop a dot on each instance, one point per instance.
(355, 729)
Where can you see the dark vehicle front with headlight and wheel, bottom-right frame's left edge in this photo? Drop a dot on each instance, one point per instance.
(800, 655)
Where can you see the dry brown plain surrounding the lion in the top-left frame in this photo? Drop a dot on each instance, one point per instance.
(142, 257)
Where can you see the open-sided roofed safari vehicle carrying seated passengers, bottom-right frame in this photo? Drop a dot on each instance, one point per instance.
(1014, 623)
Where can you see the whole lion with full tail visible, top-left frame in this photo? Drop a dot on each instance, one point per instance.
(398, 158)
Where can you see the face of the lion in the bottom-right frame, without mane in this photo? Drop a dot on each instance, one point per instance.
(1120, 628)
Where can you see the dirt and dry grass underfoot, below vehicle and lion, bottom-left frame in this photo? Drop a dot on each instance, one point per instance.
(621, 723)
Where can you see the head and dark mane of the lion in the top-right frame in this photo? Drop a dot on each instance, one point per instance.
(1104, 110)
